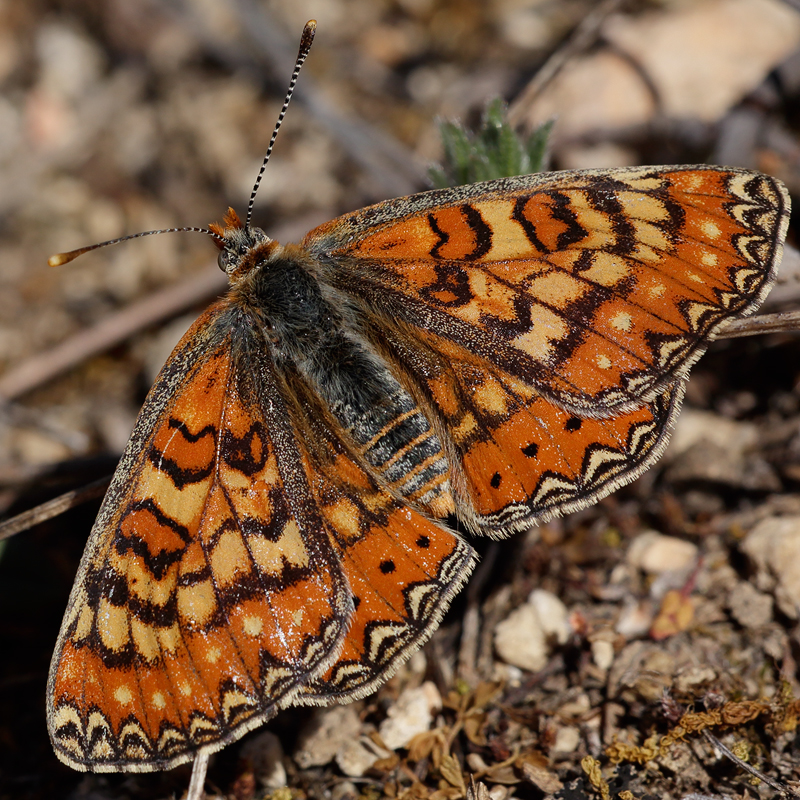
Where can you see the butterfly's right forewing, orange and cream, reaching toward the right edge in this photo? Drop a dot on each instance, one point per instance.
(597, 288)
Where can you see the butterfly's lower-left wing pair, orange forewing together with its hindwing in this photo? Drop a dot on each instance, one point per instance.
(225, 567)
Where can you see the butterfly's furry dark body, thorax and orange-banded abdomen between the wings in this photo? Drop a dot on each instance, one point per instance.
(313, 329)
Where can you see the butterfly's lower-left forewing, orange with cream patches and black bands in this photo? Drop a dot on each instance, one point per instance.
(207, 595)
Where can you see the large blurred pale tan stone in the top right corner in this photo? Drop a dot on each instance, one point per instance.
(690, 51)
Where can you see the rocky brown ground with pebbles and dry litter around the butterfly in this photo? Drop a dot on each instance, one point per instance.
(677, 595)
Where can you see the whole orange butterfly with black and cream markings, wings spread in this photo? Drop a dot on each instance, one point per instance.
(502, 352)
